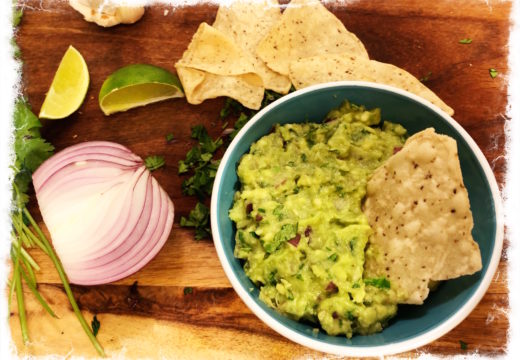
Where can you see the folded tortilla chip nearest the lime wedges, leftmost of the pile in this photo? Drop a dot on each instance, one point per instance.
(213, 66)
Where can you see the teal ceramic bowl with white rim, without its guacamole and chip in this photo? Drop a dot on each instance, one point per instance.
(413, 326)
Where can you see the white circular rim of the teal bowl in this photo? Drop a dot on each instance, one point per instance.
(380, 350)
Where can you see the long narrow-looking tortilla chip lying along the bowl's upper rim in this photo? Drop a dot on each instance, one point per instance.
(337, 67)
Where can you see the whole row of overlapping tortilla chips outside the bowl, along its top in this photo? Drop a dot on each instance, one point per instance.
(252, 46)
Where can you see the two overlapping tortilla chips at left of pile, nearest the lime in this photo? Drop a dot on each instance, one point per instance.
(221, 59)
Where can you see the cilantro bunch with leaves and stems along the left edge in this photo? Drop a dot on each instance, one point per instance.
(30, 151)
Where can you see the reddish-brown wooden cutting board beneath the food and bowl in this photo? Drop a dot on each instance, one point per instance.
(155, 317)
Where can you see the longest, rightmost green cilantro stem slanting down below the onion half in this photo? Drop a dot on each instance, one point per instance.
(65, 281)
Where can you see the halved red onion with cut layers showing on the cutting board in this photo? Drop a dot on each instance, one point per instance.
(107, 215)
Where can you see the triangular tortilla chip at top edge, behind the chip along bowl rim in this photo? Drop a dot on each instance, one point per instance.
(306, 29)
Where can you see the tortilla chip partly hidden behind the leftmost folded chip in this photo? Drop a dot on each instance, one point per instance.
(248, 23)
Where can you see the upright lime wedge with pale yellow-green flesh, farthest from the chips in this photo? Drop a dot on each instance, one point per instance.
(68, 88)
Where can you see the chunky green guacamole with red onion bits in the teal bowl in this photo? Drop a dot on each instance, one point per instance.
(300, 228)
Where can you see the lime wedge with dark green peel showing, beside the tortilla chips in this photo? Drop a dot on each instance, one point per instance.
(137, 85)
